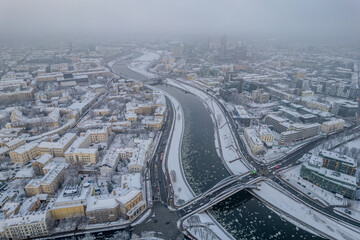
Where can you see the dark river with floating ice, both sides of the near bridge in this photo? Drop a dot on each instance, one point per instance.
(242, 215)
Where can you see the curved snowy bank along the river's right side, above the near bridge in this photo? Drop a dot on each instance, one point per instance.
(228, 145)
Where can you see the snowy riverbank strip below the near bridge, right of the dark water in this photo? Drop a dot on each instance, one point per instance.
(310, 220)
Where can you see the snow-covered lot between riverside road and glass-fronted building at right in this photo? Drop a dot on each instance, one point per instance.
(325, 197)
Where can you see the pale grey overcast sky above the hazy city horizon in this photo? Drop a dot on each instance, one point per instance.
(264, 18)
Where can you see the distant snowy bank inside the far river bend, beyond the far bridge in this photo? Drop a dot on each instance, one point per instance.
(141, 64)
